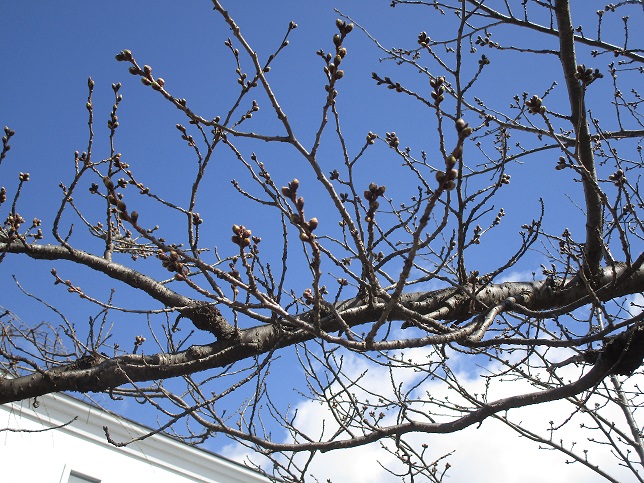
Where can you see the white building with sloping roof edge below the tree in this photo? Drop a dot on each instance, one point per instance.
(79, 452)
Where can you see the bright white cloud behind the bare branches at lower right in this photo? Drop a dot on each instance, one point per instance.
(489, 453)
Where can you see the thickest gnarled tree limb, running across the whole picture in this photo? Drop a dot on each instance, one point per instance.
(102, 374)
